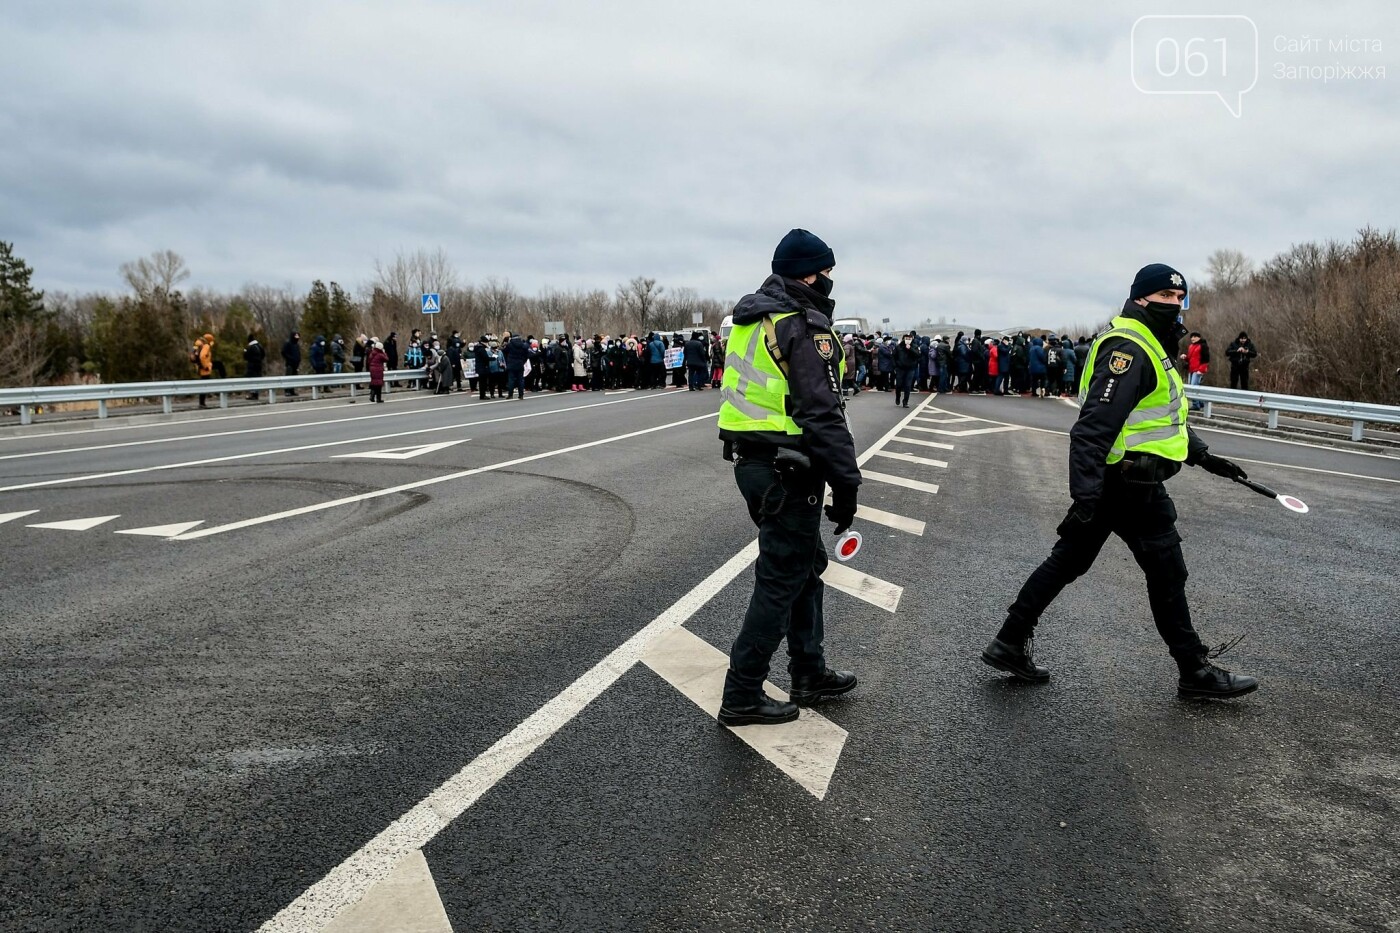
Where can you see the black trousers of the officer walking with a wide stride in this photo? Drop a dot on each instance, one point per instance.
(1144, 518)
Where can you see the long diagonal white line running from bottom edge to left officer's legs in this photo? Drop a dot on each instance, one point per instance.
(346, 883)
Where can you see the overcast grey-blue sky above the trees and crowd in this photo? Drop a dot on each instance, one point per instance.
(986, 162)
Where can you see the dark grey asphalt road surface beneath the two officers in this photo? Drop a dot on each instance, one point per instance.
(209, 726)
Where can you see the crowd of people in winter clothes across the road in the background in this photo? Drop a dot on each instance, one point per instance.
(510, 365)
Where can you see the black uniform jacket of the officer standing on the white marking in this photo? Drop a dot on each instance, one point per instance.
(813, 357)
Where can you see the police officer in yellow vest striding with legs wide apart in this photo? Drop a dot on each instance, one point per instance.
(1130, 436)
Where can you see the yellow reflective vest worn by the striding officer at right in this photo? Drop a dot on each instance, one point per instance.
(1157, 425)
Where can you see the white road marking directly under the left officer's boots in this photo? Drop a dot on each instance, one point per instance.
(806, 750)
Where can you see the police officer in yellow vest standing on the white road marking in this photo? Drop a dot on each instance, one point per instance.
(783, 422)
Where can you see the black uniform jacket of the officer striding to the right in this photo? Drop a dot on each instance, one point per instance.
(1107, 407)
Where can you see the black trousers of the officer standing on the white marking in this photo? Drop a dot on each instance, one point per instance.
(786, 505)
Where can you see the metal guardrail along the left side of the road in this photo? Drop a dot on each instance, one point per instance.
(103, 393)
